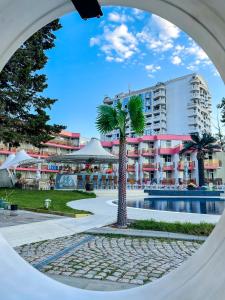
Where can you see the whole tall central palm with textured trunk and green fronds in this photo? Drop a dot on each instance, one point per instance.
(116, 118)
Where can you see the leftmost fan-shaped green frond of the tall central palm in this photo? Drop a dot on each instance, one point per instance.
(106, 119)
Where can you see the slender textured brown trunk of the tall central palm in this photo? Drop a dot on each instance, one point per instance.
(122, 186)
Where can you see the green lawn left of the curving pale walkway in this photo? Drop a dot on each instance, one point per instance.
(34, 200)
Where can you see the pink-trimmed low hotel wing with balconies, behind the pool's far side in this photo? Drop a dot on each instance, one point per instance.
(157, 159)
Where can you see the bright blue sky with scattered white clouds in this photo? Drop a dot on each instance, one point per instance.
(126, 48)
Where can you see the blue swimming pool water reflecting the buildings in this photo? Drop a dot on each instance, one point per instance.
(213, 206)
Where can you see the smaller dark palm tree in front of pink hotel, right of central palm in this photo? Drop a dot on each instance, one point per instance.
(202, 145)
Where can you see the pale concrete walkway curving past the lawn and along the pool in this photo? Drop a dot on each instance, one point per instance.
(104, 213)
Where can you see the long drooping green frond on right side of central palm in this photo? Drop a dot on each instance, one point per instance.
(137, 117)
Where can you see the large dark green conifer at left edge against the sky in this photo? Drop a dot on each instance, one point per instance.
(23, 116)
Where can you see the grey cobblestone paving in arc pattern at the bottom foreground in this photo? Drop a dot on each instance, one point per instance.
(118, 259)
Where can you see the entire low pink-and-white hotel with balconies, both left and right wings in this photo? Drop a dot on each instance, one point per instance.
(151, 158)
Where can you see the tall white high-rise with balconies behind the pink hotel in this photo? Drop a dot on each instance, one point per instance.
(178, 106)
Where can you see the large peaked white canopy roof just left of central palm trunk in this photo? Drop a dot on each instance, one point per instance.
(93, 152)
